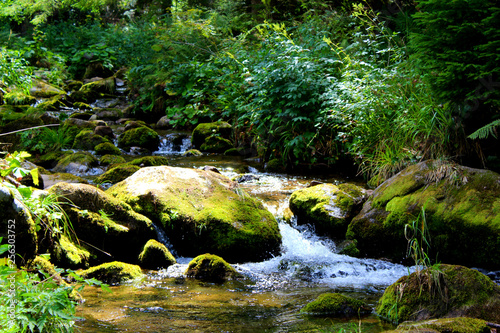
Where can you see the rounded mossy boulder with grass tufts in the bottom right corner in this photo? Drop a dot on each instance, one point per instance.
(453, 291)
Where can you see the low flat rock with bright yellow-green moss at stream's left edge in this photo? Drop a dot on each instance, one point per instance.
(113, 272)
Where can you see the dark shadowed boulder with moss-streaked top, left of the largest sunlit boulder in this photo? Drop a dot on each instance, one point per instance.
(105, 222)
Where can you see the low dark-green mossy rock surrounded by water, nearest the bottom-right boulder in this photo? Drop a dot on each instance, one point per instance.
(336, 305)
